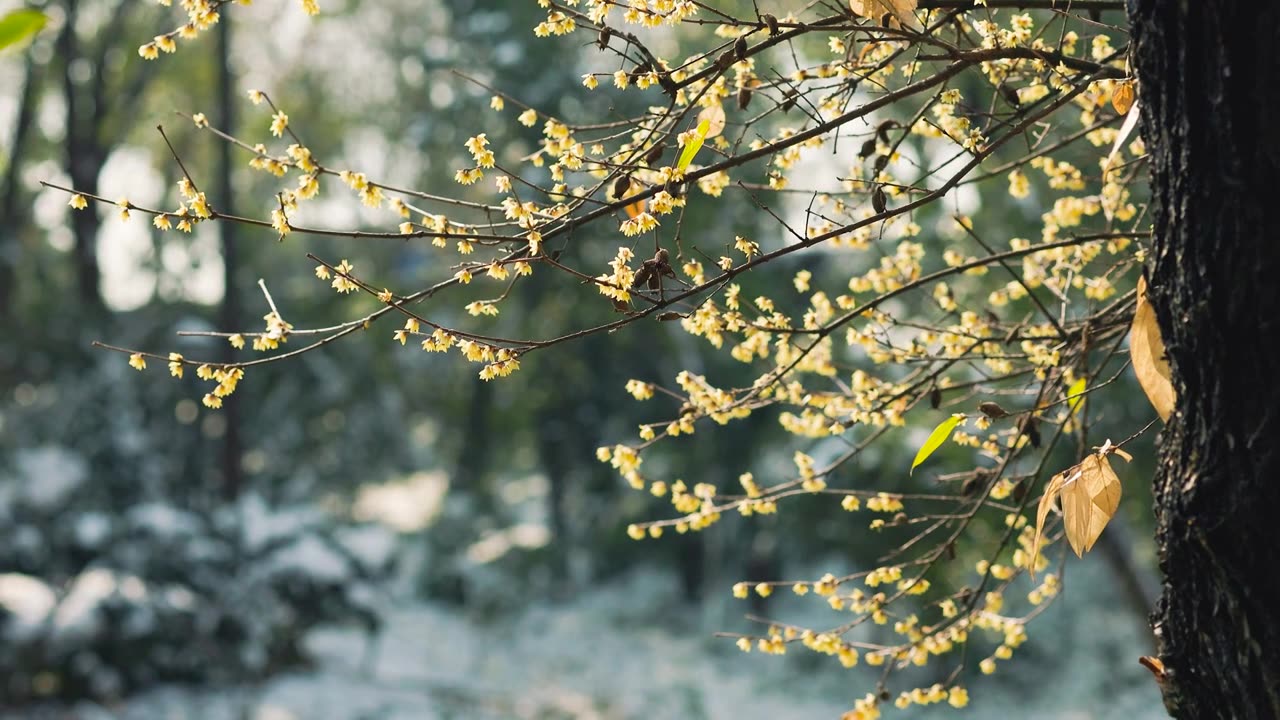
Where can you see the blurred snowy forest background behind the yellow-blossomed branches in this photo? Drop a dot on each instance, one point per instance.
(368, 532)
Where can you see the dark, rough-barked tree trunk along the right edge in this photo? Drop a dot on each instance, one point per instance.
(1210, 95)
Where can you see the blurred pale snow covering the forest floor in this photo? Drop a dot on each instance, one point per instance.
(628, 650)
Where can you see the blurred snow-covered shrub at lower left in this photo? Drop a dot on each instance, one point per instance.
(99, 604)
